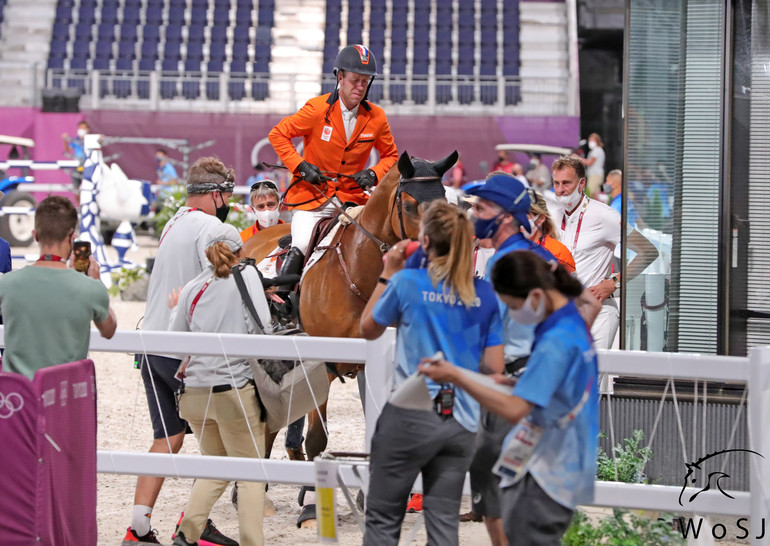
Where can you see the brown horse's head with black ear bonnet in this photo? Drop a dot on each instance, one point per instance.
(419, 182)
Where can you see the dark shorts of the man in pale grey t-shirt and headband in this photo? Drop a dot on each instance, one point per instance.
(159, 379)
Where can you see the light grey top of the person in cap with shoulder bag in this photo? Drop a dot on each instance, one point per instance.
(219, 309)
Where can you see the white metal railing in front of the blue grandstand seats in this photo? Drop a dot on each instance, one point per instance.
(250, 92)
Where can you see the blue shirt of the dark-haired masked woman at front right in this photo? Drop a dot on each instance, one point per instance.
(560, 369)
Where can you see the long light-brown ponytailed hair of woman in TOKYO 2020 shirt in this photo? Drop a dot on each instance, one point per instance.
(451, 238)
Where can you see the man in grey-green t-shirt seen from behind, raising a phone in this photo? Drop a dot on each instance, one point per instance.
(47, 306)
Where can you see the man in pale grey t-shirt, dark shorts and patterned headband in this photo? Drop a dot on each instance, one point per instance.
(181, 257)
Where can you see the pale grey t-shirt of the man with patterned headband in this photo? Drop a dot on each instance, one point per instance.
(181, 257)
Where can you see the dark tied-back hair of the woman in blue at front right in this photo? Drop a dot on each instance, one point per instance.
(520, 271)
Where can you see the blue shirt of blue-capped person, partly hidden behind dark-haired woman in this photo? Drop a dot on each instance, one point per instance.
(518, 337)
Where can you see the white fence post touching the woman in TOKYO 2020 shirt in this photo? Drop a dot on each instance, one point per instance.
(379, 372)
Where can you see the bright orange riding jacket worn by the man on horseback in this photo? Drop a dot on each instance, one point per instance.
(326, 148)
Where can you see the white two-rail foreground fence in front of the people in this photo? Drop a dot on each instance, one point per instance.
(378, 356)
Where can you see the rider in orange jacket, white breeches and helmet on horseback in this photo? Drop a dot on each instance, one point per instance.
(339, 130)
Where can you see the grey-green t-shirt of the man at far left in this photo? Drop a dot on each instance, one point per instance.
(47, 314)
